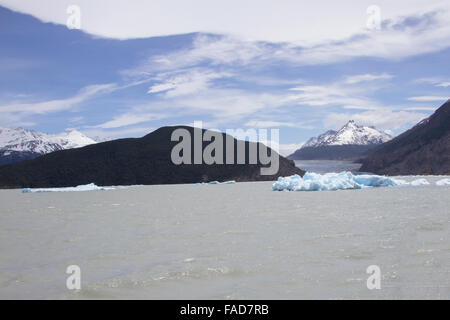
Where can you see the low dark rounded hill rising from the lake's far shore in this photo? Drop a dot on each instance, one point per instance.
(145, 160)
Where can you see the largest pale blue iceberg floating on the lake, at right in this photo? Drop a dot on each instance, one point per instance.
(333, 181)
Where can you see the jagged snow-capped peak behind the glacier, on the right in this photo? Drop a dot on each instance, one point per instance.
(350, 134)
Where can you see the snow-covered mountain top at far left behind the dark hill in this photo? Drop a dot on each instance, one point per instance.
(24, 140)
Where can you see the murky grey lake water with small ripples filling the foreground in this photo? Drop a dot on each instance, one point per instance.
(234, 241)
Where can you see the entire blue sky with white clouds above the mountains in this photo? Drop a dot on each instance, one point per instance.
(297, 66)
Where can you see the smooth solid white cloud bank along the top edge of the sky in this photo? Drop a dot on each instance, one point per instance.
(267, 20)
